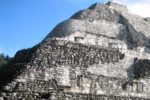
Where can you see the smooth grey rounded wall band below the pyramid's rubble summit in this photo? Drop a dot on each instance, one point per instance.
(71, 26)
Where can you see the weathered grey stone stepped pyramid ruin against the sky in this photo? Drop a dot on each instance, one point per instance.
(99, 53)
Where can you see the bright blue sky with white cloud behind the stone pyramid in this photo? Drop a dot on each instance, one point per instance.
(24, 23)
